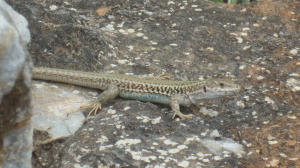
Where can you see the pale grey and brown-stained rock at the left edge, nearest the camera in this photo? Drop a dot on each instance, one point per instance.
(15, 113)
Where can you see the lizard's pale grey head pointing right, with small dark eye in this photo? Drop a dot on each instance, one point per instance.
(212, 89)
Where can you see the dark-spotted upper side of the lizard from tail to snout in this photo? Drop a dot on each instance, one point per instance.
(130, 84)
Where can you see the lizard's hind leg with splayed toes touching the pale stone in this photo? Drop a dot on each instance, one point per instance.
(111, 92)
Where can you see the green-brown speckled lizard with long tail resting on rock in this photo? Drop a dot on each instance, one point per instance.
(173, 93)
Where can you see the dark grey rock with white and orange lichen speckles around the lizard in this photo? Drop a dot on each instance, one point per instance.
(256, 44)
